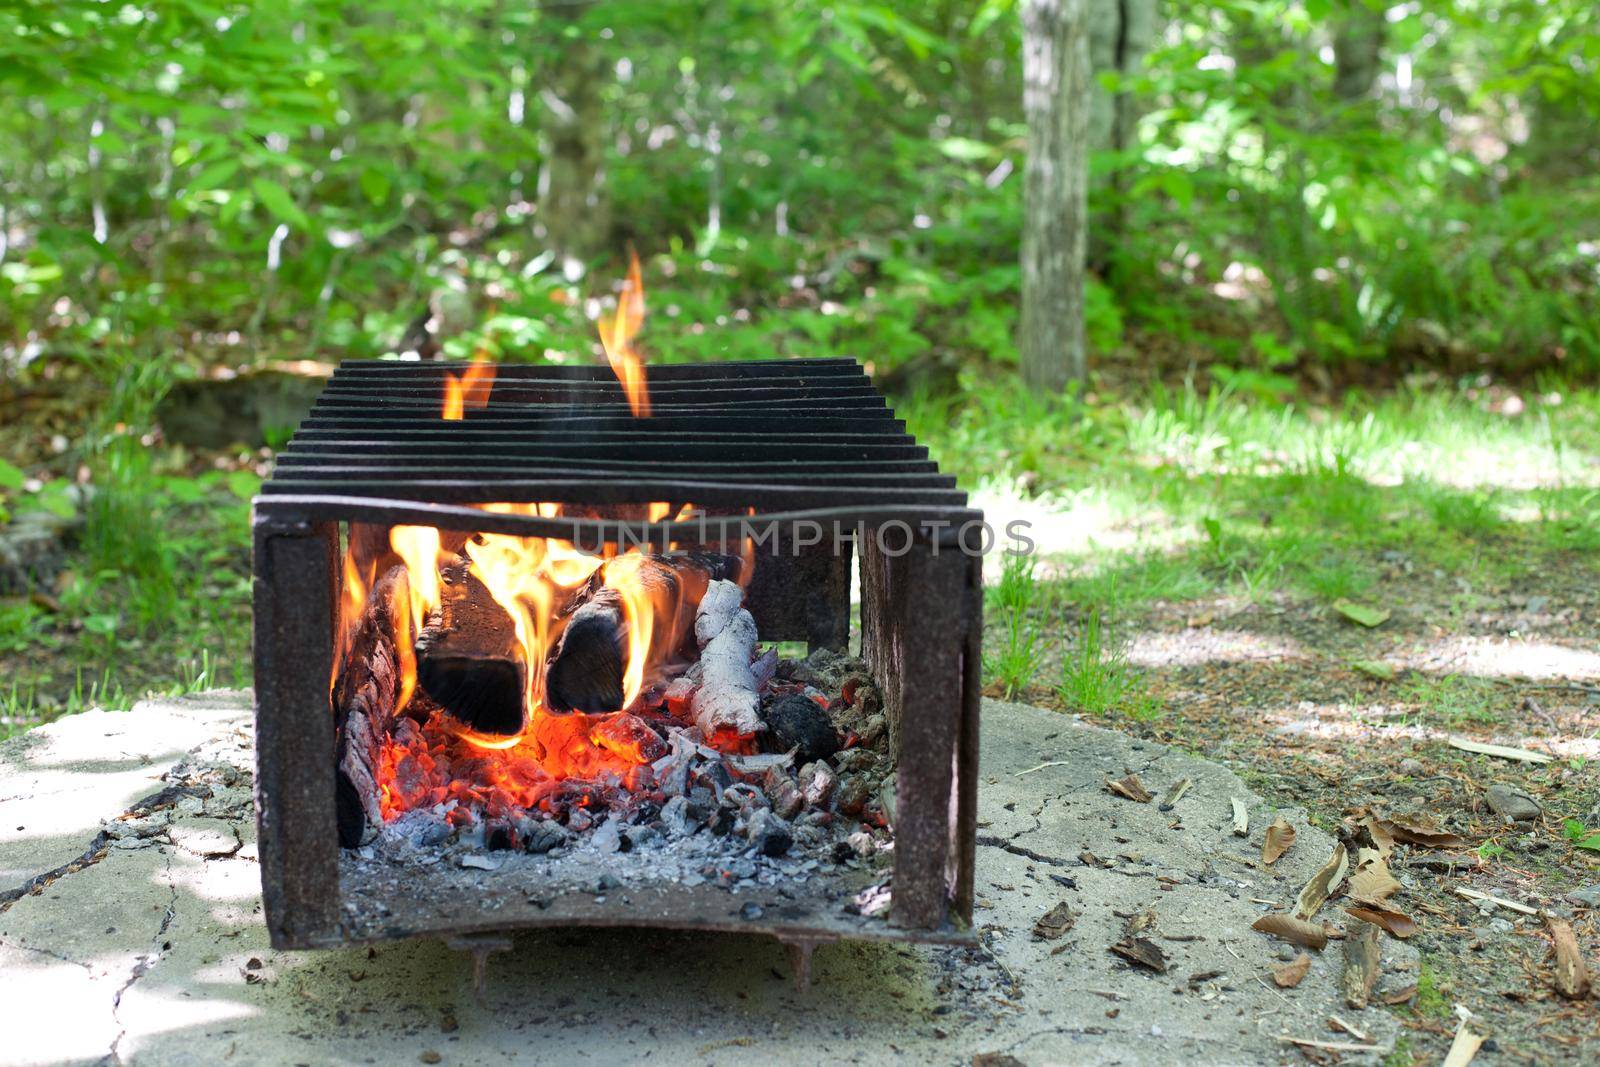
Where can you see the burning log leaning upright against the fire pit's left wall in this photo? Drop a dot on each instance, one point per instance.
(366, 700)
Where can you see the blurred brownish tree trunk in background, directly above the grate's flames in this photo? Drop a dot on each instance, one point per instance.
(574, 210)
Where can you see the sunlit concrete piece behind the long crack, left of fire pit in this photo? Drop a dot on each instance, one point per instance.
(60, 781)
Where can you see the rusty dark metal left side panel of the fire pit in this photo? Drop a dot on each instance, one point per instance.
(297, 573)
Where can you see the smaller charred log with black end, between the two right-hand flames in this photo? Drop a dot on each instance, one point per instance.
(590, 665)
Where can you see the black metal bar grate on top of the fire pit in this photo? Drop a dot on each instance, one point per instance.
(778, 436)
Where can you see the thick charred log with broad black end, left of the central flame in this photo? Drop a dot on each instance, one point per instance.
(468, 657)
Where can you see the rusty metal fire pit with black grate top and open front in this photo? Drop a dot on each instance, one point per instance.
(802, 449)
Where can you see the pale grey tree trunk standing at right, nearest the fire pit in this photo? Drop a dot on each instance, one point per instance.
(1055, 191)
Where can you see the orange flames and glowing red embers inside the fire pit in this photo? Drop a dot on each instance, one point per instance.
(559, 759)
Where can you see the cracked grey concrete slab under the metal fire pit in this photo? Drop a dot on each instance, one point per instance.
(156, 953)
